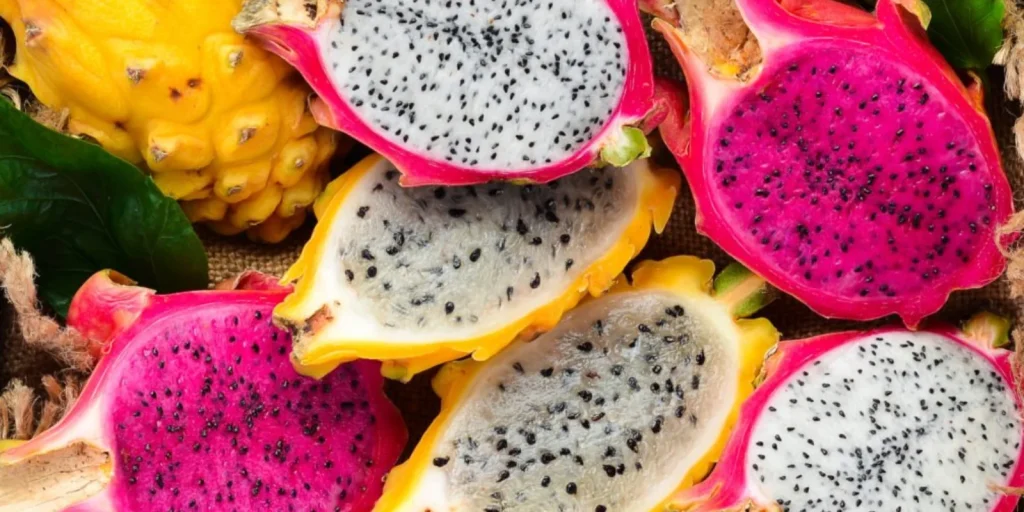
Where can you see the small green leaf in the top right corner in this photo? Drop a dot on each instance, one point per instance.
(968, 33)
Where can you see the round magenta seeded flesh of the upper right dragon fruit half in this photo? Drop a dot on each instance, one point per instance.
(895, 195)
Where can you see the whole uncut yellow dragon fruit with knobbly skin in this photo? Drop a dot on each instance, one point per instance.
(223, 125)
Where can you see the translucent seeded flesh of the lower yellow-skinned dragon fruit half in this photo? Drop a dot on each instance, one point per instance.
(595, 415)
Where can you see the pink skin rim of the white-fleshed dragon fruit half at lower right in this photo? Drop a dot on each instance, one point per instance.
(730, 486)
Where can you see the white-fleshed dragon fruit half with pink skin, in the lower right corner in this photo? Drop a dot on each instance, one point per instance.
(883, 420)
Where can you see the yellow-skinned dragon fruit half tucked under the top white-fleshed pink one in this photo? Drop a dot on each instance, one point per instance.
(419, 277)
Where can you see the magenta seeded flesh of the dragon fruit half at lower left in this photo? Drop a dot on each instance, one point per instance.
(210, 415)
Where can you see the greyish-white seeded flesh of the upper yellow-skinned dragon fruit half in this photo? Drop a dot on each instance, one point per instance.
(416, 258)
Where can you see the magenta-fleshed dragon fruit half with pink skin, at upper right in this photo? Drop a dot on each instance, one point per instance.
(851, 167)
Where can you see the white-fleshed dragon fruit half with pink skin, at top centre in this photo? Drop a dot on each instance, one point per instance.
(462, 94)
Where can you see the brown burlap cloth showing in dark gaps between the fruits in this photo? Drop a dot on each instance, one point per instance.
(230, 257)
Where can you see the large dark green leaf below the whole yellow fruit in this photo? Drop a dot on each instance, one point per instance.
(78, 209)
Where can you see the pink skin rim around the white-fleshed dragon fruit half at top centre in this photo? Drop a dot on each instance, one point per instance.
(298, 46)
